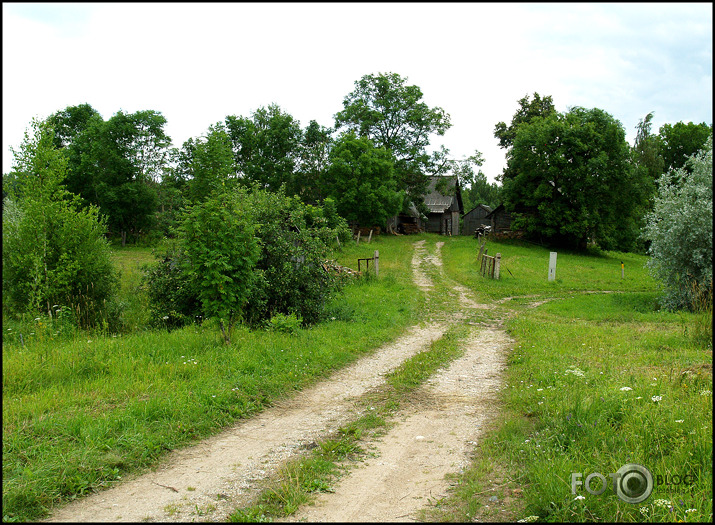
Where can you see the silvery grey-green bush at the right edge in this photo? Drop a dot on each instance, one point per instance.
(680, 230)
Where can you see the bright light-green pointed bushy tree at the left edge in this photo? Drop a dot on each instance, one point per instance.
(54, 252)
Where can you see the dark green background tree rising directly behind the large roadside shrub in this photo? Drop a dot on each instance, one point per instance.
(266, 148)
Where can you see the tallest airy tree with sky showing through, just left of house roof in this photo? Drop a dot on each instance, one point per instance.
(384, 109)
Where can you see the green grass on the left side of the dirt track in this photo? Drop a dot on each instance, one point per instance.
(80, 412)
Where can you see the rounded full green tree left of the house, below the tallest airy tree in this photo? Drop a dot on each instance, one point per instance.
(361, 180)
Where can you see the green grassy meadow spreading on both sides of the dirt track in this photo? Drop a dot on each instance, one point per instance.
(598, 377)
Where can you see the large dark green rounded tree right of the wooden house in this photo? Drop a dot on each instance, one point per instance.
(569, 180)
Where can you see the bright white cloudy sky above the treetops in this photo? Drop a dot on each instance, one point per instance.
(196, 63)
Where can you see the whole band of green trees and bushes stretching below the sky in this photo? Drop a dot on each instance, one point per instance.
(253, 201)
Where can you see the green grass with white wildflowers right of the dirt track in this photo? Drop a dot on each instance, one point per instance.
(595, 381)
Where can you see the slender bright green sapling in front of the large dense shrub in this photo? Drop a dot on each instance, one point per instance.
(221, 251)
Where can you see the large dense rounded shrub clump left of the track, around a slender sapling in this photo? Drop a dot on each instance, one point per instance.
(286, 279)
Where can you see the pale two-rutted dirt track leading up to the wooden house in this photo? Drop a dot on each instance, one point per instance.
(433, 436)
